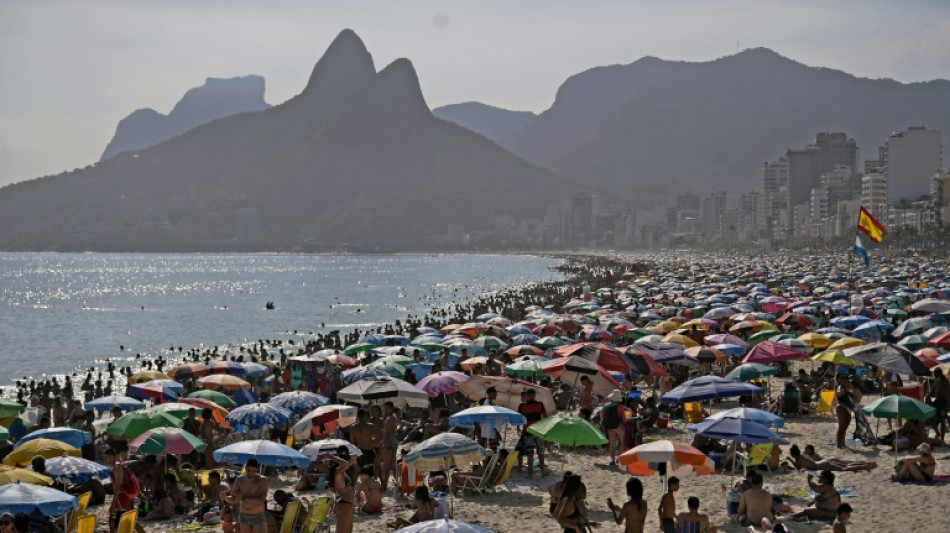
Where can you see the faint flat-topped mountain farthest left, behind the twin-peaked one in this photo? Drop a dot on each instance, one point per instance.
(217, 98)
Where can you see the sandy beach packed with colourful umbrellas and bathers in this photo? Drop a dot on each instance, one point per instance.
(669, 393)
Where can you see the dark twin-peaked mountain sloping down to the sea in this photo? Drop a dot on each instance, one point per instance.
(354, 161)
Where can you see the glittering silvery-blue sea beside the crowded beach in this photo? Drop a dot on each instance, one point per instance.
(60, 313)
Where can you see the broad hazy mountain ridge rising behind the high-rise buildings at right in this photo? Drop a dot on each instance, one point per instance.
(712, 125)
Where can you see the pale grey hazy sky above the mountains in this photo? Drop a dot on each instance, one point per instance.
(70, 70)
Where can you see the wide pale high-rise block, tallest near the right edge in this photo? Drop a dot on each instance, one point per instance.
(911, 158)
